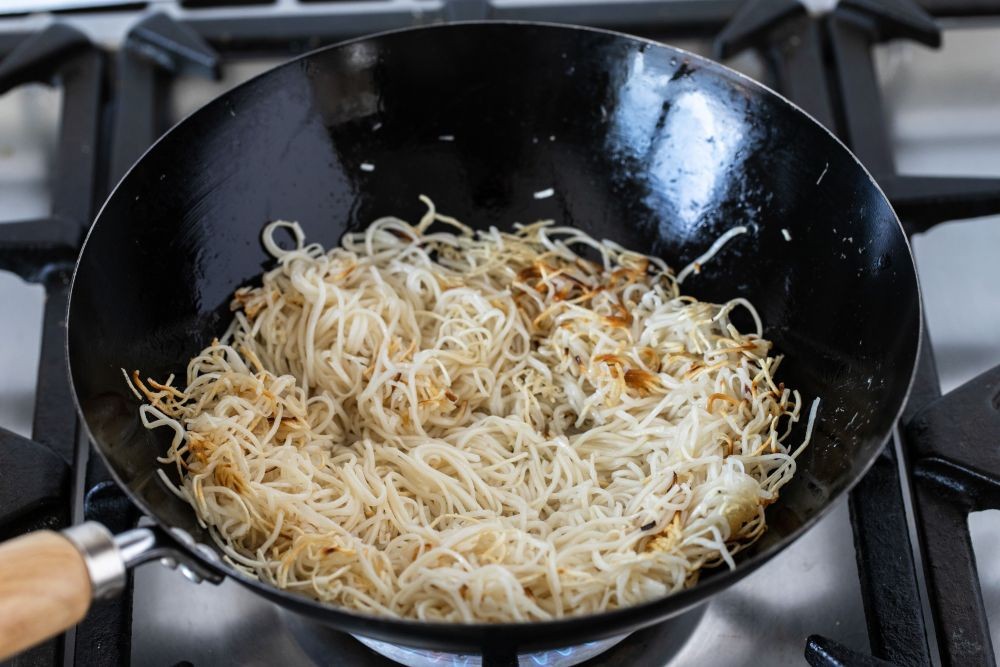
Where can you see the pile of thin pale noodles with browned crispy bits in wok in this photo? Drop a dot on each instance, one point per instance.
(453, 426)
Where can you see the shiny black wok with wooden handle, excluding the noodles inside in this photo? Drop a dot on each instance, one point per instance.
(655, 148)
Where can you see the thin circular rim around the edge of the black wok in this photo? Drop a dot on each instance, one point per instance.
(606, 623)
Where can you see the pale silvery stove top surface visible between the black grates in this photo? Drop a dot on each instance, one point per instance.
(944, 115)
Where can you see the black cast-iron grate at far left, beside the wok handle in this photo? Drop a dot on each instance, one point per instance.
(43, 251)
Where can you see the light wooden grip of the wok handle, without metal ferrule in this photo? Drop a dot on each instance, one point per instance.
(44, 589)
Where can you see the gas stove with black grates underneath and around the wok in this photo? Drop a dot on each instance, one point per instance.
(890, 576)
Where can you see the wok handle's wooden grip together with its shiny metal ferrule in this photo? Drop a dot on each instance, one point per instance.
(47, 581)
